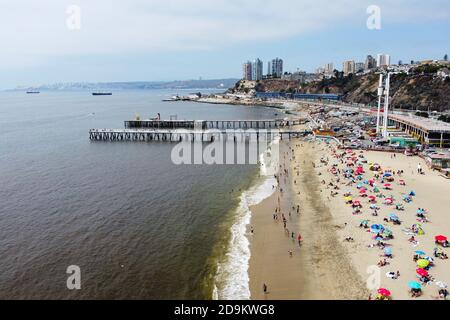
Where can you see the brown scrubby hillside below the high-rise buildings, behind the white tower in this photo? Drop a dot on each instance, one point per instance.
(421, 89)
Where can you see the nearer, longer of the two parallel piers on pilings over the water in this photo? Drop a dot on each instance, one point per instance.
(146, 135)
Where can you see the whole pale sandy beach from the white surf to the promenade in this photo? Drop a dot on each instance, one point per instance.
(326, 266)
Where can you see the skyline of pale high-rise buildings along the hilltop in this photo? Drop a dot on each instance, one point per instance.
(253, 70)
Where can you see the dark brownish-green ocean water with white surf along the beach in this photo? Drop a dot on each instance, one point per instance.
(138, 226)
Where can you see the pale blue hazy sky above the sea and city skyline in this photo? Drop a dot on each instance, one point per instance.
(51, 41)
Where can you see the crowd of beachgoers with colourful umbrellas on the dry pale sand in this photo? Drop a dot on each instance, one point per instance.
(367, 189)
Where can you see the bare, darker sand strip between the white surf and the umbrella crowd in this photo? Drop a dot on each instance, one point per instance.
(320, 267)
